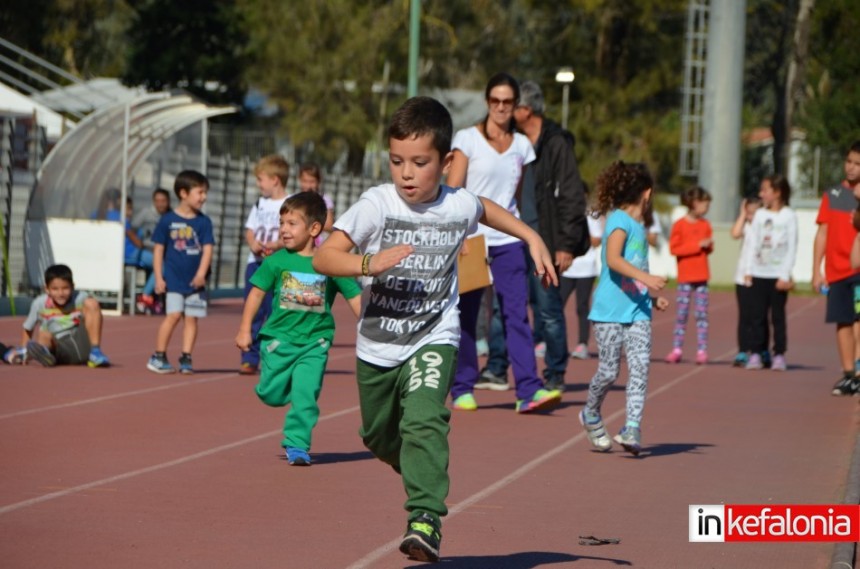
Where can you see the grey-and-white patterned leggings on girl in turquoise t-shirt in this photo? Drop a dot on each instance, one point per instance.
(636, 340)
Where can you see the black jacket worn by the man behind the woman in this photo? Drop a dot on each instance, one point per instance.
(559, 192)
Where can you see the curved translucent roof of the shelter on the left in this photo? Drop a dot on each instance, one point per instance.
(105, 149)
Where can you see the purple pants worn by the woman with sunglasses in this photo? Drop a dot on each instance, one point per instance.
(508, 266)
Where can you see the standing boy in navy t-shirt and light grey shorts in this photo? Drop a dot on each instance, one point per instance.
(182, 256)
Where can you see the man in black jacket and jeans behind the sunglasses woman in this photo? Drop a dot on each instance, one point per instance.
(552, 203)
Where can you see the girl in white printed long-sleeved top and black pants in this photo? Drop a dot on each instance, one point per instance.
(767, 268)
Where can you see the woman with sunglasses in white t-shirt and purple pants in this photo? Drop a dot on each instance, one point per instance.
(488, 161)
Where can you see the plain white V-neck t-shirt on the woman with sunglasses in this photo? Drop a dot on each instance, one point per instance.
(494, 175)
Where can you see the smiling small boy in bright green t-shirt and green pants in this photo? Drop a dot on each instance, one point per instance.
(295, 340)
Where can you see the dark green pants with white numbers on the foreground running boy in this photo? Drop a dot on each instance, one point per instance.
(404, 422)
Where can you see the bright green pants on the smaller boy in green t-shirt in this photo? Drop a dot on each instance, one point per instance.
(292, 374)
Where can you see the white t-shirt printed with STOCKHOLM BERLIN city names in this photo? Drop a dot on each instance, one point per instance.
(415, 303)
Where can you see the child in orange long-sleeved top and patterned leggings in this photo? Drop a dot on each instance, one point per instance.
(691, 241)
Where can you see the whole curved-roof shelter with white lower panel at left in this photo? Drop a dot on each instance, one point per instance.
(91, 165)
